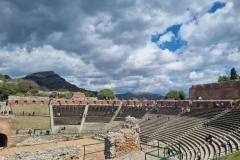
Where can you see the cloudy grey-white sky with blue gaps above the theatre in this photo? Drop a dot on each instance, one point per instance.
(125, 45)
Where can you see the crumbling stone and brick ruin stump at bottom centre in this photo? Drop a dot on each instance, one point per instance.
(126, 140)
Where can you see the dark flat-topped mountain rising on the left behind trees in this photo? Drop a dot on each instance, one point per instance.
(52, 81)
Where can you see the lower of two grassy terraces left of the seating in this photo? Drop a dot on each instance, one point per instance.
(34, 122)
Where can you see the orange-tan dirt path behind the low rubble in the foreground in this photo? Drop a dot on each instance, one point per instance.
(81, 142)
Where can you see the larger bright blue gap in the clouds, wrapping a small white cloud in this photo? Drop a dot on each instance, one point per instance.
(176, 41)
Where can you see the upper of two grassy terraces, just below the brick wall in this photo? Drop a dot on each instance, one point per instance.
(38, 109)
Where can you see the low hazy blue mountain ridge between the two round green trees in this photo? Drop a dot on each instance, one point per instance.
(140, 95)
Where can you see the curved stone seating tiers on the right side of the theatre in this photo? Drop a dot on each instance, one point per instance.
(194, 140)
